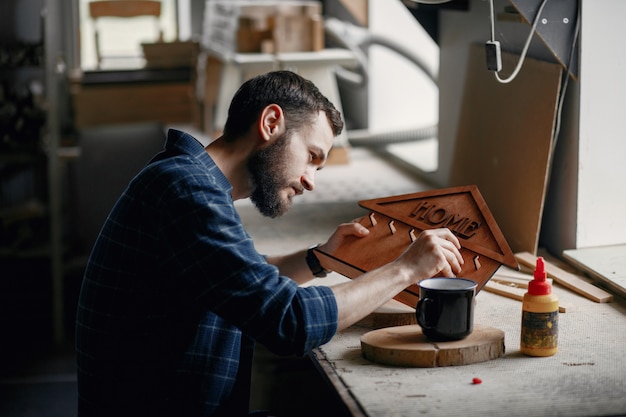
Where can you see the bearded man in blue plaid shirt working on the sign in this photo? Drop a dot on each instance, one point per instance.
(175, 295)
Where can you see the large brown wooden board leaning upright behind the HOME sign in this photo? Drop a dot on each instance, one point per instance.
(504, 142)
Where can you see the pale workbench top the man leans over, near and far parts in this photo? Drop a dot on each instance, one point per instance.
(587, 376)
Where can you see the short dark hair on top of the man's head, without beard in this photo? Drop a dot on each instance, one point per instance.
(299, 98)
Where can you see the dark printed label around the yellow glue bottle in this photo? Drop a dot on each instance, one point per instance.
(540, 330)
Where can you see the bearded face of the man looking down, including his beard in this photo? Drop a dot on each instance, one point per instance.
(287, 166)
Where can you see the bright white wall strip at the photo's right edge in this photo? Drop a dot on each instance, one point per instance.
(602, 143)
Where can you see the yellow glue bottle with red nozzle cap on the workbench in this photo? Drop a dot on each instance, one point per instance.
(540, 316)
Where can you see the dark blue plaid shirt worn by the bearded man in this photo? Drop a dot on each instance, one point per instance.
(174, 294)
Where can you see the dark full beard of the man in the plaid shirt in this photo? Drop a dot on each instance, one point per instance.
(267, 174)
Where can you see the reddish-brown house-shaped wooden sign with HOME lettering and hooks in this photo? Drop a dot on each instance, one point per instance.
(394, 223)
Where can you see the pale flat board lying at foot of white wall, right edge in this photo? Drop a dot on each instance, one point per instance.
(606, 265)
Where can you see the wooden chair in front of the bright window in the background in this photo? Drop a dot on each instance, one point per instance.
(123, 9)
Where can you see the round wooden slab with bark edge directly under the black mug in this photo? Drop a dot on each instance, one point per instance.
(407, 346)
